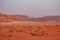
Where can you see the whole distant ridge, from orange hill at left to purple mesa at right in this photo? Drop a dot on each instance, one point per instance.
(4, 17)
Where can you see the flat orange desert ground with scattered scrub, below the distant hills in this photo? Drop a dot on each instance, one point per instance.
(29, 31)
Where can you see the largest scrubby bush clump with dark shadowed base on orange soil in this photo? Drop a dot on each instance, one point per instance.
(36, 31)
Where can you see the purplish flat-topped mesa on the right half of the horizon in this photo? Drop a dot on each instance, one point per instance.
(47, 19)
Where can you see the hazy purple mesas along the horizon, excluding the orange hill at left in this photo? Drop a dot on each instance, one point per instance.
(41, 19)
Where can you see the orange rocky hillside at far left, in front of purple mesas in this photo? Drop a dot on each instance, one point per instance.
(7, 18)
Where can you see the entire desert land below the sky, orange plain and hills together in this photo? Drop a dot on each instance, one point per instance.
(14, 28)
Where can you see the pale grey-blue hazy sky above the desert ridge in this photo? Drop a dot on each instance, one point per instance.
(33, 8)
